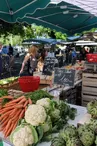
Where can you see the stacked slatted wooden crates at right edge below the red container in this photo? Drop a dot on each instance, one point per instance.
(89, 87)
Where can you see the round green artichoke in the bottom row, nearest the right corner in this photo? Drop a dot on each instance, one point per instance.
(86, 135)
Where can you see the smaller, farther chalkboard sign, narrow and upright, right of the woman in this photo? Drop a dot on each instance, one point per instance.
(48, 66)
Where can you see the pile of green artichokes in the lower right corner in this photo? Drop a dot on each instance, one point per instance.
(83, 135)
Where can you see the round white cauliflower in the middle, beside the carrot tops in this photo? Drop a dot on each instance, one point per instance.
(35, 115)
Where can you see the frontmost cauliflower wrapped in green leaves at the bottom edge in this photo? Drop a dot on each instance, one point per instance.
(24, 136)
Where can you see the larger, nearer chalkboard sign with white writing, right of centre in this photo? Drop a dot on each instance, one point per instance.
(64, 77)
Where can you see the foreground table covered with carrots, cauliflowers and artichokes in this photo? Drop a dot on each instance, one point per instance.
(74, 118)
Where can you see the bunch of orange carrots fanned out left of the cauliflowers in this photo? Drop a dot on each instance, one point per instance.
(12, 112)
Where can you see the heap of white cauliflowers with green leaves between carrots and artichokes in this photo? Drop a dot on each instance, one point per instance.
(40, 121)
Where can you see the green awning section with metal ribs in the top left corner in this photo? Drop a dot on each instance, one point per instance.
(10, 10)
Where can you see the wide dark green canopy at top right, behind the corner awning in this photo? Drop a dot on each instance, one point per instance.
(63, 16)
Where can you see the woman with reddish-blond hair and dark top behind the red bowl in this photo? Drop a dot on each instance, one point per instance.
(31, 61)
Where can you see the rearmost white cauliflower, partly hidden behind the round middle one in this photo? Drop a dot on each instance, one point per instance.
(45, 102)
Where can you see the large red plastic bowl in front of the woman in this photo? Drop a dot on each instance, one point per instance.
(29, 83)
